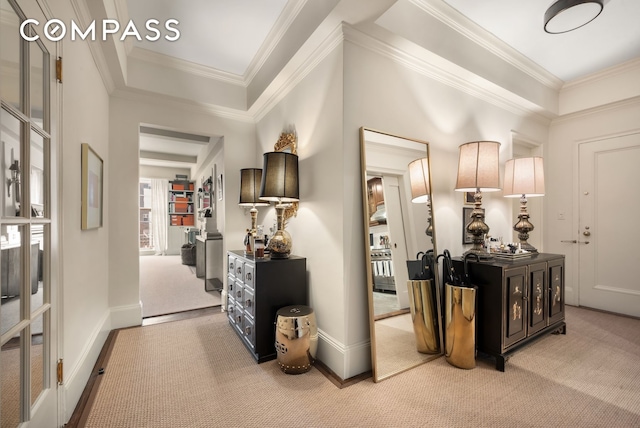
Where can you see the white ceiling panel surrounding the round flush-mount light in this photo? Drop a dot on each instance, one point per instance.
(612, 38)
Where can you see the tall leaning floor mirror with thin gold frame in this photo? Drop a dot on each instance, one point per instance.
(395, 350)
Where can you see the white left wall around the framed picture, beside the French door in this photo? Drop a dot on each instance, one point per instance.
(84, 290)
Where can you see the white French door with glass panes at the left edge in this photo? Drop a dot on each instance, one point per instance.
(28, 220)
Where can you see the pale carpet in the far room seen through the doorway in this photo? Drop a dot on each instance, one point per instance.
(167, 286)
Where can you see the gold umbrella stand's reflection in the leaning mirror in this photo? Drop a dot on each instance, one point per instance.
(424, 315)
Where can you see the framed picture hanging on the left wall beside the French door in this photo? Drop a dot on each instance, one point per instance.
(92, 188)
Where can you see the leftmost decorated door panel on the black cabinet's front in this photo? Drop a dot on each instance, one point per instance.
(515, 310)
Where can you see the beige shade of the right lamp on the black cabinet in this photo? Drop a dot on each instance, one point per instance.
(523, 176)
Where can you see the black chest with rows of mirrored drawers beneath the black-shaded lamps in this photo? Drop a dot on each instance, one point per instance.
(257, 288)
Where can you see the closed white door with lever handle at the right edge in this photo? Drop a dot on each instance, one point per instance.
(608, 233)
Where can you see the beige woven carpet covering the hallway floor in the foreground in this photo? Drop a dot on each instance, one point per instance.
(197, 373)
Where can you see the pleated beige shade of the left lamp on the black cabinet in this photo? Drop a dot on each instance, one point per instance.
(479, 167)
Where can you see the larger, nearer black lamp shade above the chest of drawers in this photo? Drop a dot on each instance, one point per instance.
(280, 177)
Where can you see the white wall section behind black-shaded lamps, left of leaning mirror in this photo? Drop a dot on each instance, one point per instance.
(315, 108)
